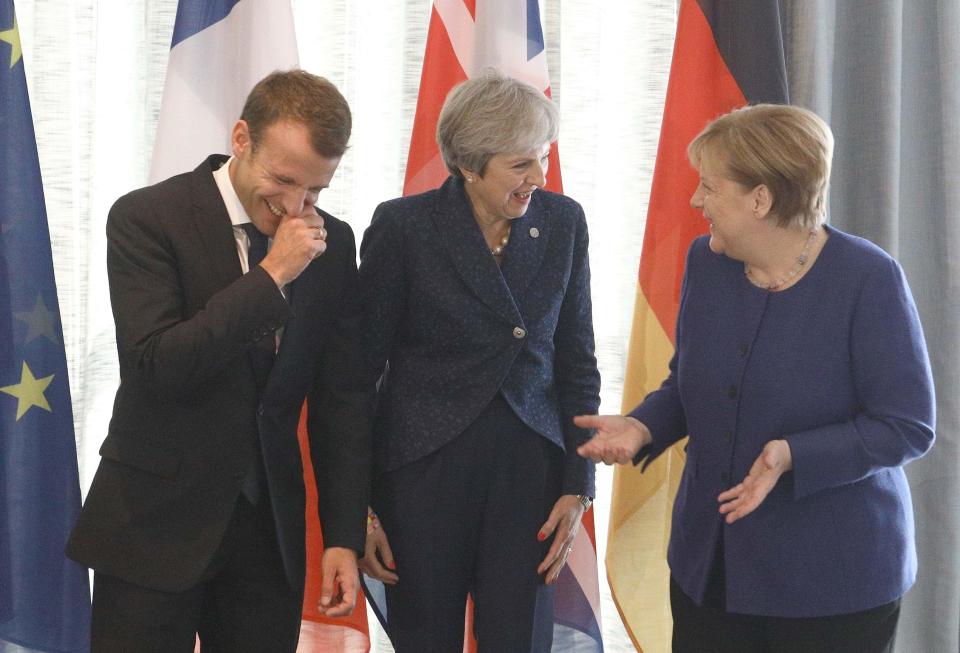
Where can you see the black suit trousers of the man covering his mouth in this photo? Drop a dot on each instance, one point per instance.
(243, 602)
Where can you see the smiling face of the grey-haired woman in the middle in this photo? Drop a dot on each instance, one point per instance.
(504, 190)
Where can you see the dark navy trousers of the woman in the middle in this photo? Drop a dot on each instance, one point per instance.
(465, 520)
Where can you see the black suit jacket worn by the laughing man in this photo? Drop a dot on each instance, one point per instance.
(187, 413)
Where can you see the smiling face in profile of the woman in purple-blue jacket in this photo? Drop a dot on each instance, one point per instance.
(731, 209)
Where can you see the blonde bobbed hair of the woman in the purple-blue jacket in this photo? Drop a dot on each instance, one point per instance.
(786, 148)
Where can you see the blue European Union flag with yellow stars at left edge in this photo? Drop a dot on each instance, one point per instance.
(44, 597)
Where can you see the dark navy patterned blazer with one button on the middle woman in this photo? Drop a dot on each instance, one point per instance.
(451, 328)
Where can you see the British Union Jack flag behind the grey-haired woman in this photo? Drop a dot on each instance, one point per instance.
(466, 36)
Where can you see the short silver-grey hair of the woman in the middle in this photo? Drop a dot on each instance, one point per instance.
(493, 114)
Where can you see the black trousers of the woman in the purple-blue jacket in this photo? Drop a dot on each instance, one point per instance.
(709, 629)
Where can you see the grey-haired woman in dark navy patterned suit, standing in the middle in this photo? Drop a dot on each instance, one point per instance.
(478, 314)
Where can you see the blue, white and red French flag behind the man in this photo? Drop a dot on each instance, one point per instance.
(219, 50)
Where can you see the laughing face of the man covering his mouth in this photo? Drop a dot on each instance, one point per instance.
(282, 175)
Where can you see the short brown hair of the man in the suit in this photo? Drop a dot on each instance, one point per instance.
(300, 97)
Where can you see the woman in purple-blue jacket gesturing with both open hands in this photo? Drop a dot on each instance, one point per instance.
(802, 379)
